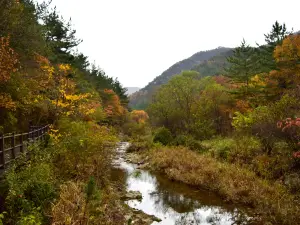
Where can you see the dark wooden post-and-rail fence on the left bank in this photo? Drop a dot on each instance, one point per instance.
(13, 145)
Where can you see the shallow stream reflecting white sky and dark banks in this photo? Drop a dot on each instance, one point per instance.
(173, 202)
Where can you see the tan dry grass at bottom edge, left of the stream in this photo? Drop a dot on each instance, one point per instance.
(72, 207)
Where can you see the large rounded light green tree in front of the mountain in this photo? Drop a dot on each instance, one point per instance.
(189, 104)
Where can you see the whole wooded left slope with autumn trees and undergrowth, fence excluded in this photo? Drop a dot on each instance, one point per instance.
(44, 80)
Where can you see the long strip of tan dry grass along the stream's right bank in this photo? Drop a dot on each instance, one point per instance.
(235, 184)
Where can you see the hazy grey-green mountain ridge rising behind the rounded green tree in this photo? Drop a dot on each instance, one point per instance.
(206, 62)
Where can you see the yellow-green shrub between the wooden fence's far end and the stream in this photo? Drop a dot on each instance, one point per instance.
(83, 149)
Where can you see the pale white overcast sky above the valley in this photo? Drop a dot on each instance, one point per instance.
(136, 40)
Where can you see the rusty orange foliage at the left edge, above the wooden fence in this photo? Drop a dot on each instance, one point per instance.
(8, 60)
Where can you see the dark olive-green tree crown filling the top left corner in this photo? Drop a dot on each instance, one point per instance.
(19, 20)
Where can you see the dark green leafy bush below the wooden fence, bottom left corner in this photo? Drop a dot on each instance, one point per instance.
(30, 189)
